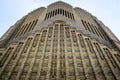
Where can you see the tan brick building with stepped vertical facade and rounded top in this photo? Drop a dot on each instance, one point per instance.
(59, 43)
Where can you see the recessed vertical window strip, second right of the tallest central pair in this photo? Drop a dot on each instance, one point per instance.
(77, 54)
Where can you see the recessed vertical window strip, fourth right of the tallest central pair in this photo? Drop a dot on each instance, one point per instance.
(97, 69)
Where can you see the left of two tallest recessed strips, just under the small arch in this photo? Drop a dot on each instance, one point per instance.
(54, 73)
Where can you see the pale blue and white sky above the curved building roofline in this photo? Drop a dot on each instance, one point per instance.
(108, 11)
